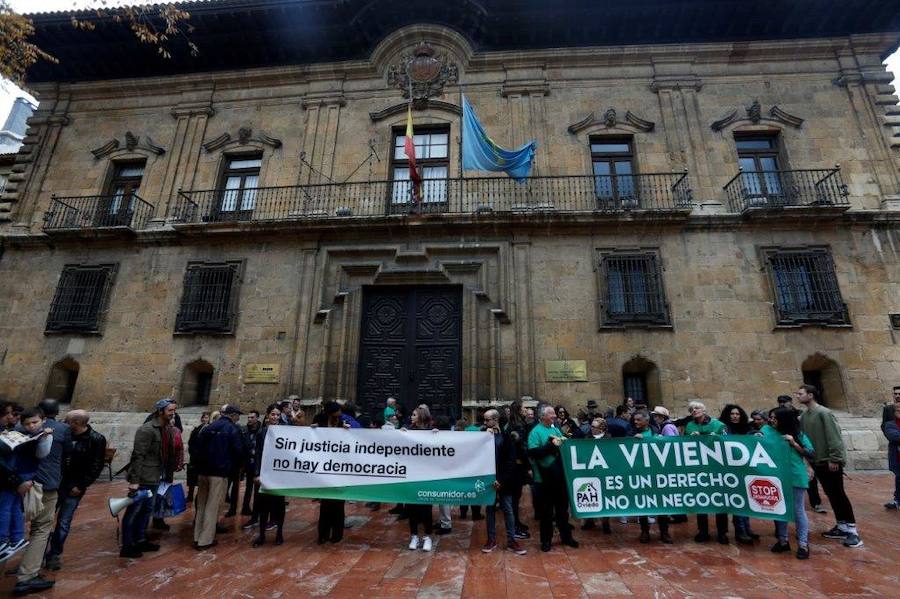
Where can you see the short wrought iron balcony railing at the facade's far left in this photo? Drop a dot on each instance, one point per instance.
(97, 212)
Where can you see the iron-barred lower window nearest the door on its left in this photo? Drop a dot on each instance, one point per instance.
(225, 324)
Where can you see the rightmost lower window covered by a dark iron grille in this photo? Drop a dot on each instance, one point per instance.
(837, 316)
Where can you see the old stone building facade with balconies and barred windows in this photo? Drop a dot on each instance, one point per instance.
(334, 288)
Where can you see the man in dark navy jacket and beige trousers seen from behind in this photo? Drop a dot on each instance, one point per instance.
(221, 449)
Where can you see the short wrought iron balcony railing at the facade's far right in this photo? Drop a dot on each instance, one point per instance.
(776, 189)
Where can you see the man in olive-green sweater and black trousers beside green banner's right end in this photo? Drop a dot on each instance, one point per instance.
(828, 461)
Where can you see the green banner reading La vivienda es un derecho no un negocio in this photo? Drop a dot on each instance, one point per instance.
(742, 475)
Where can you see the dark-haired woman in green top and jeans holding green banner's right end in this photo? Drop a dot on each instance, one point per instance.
(787, 424)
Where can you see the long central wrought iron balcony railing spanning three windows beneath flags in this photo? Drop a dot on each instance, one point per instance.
(658, 192)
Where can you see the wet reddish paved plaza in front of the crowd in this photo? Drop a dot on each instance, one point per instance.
(373, 560)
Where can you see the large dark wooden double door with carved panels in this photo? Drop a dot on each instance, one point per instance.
(410, 348)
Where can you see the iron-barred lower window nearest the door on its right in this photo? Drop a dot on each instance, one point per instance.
(663, 320)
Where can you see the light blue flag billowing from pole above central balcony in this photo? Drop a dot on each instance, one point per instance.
(480, 153)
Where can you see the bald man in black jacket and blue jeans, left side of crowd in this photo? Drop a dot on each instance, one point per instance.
(85, 463)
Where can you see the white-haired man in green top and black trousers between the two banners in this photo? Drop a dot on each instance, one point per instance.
(544, 443)
